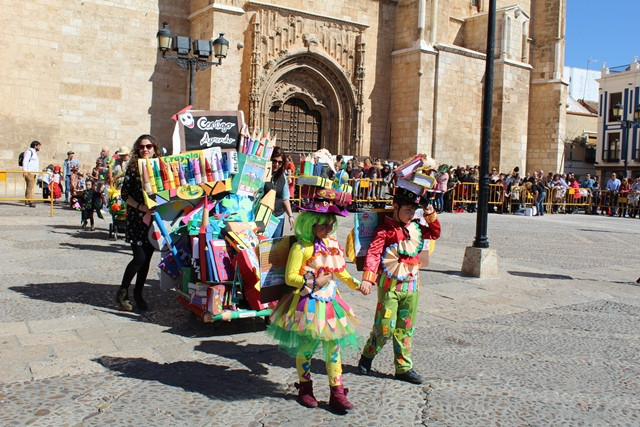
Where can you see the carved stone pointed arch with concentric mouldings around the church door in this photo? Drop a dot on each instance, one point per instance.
(323, 86)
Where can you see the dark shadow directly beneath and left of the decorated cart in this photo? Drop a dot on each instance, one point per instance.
(164, 309)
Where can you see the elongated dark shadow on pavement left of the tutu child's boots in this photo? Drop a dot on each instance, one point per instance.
(213, 381)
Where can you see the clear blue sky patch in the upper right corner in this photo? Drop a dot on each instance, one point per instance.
(604, 30)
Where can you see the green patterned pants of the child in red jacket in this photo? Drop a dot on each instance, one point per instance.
(395, 317)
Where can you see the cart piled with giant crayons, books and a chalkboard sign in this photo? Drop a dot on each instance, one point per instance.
(212, 220)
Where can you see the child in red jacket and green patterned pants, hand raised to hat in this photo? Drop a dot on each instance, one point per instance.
(392, 262)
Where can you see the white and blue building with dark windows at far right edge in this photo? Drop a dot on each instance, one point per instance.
(618, 147)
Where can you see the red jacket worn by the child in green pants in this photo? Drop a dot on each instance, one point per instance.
(391, 232)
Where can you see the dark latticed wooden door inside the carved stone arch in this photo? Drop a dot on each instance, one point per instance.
(298, 127)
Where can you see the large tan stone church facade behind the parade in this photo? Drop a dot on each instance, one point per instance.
(363, 77)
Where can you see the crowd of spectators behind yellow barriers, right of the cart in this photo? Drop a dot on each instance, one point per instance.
(371, 180)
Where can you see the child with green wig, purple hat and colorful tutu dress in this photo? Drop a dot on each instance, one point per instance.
(315, 312)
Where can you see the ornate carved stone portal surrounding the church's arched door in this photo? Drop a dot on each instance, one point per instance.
(306, 78)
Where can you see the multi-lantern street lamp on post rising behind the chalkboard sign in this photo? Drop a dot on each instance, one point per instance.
(198, 60)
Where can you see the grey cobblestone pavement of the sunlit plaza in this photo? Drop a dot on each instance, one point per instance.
(553, 340)
